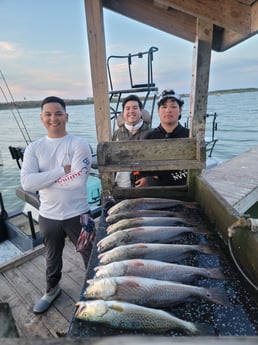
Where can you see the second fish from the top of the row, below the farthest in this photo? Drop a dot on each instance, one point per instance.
(113, 218)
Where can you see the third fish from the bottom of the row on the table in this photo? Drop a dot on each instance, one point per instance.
(155, 269)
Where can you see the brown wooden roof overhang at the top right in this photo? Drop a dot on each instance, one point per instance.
(233, 20)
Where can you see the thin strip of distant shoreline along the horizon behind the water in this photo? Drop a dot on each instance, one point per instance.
(89, 100)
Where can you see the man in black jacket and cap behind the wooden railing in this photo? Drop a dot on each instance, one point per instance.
(169, 110)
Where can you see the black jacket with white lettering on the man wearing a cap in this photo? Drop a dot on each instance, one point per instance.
(173, 177)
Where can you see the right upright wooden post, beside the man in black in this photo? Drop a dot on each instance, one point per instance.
(199, 91)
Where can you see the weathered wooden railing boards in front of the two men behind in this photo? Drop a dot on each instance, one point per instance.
(149, 155)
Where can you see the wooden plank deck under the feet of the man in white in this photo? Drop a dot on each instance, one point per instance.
(22, 283)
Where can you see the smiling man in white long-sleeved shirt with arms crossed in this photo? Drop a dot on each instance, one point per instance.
(57, 166)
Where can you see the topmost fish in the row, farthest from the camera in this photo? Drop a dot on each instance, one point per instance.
(149, 204)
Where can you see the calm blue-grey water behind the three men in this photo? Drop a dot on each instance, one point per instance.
(237, 132)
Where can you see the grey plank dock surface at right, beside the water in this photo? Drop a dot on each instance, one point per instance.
(236, 180)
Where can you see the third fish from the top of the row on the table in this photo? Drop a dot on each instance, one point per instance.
(145, 221)
